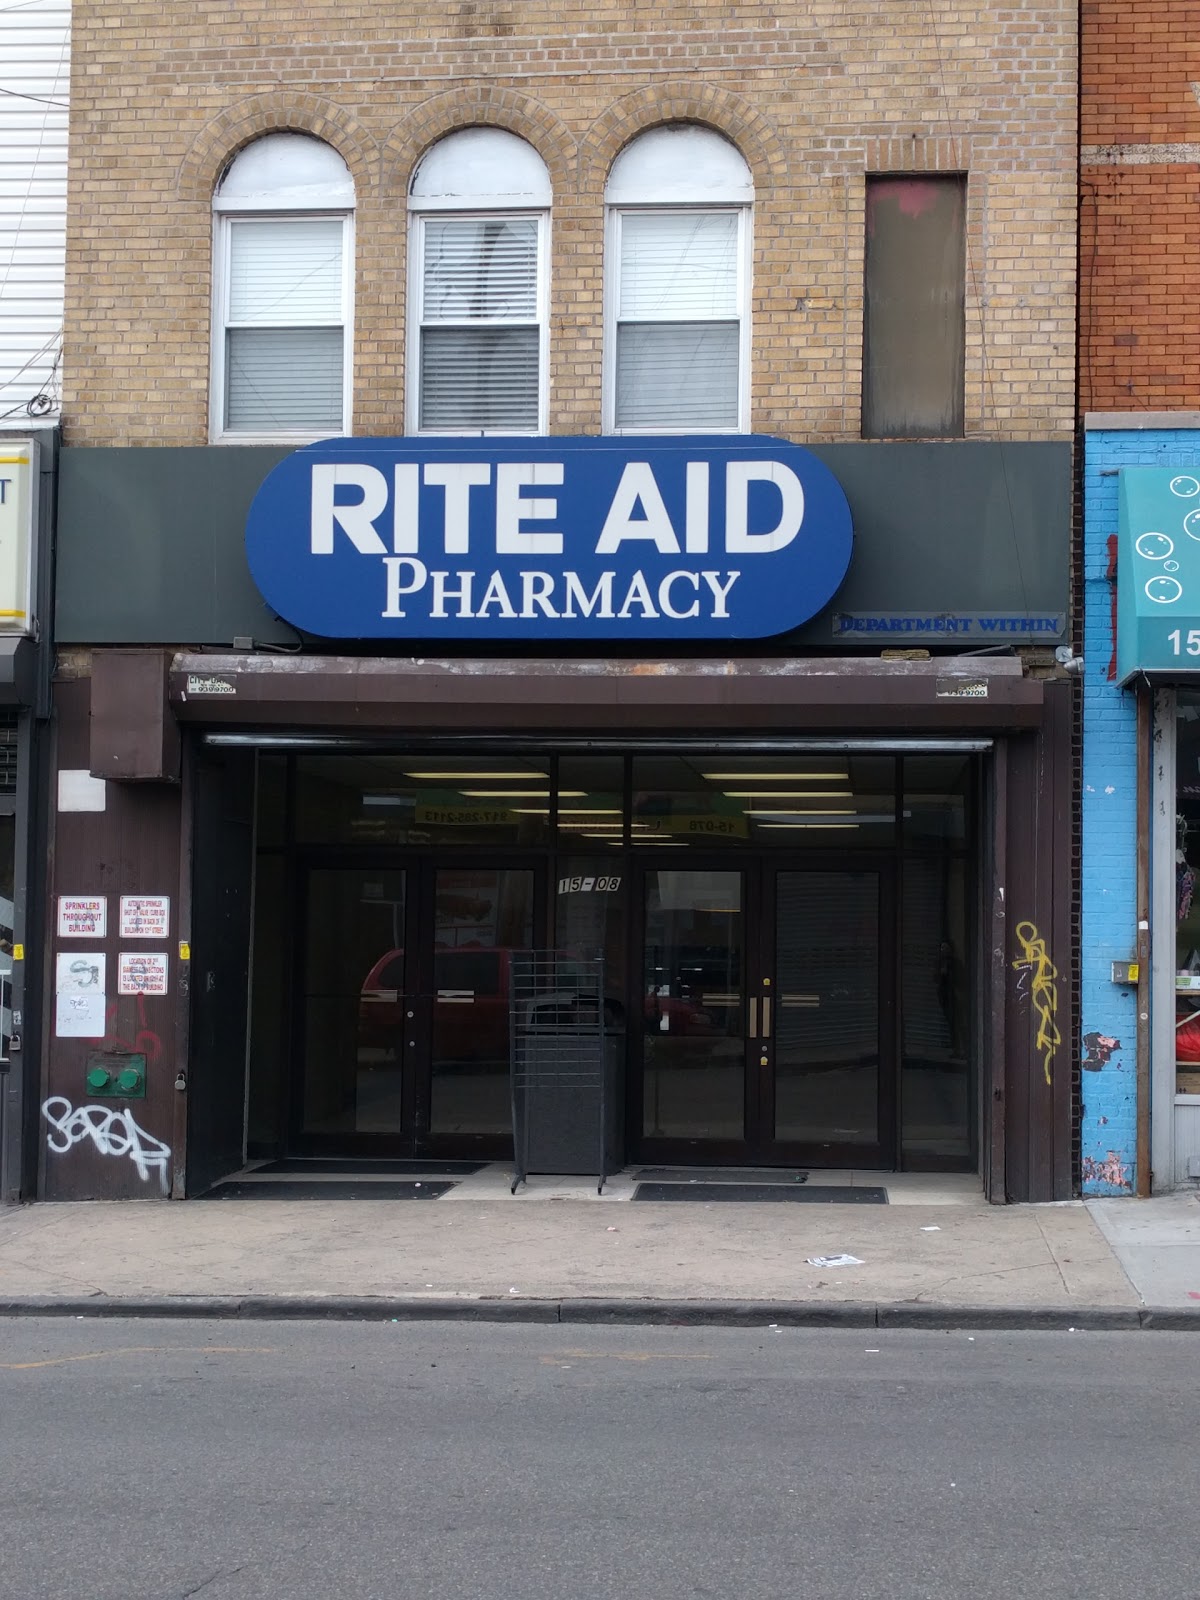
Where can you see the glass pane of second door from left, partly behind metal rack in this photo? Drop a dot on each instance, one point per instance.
(481, 916)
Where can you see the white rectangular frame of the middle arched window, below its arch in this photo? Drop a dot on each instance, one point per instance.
(423, 212)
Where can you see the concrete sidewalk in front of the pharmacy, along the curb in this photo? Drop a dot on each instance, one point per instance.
(556, 1252)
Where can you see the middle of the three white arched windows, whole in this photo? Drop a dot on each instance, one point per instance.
(481, 202)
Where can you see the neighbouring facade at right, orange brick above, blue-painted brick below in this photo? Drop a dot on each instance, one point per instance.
(1140, 353)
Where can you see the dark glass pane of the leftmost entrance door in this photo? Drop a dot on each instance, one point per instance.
(351, 1006)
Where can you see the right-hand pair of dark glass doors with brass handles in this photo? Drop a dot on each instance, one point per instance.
(767, 1014)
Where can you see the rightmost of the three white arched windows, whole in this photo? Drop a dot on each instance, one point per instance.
(678, 322)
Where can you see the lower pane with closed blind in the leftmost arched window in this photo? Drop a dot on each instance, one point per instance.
(284, 378)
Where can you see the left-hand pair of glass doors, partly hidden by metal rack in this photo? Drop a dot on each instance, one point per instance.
(404, 1017)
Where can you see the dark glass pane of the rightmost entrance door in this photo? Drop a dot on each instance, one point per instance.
(826, 1033)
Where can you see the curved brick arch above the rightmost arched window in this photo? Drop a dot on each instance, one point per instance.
(687, 100)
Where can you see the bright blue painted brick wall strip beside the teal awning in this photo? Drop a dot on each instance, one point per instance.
(1110, 914)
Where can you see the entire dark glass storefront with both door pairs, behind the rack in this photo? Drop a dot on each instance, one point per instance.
(774, 994)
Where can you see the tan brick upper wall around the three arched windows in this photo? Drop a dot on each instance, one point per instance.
(817, 97)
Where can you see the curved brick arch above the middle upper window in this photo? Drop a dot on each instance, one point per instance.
(479, 106)
